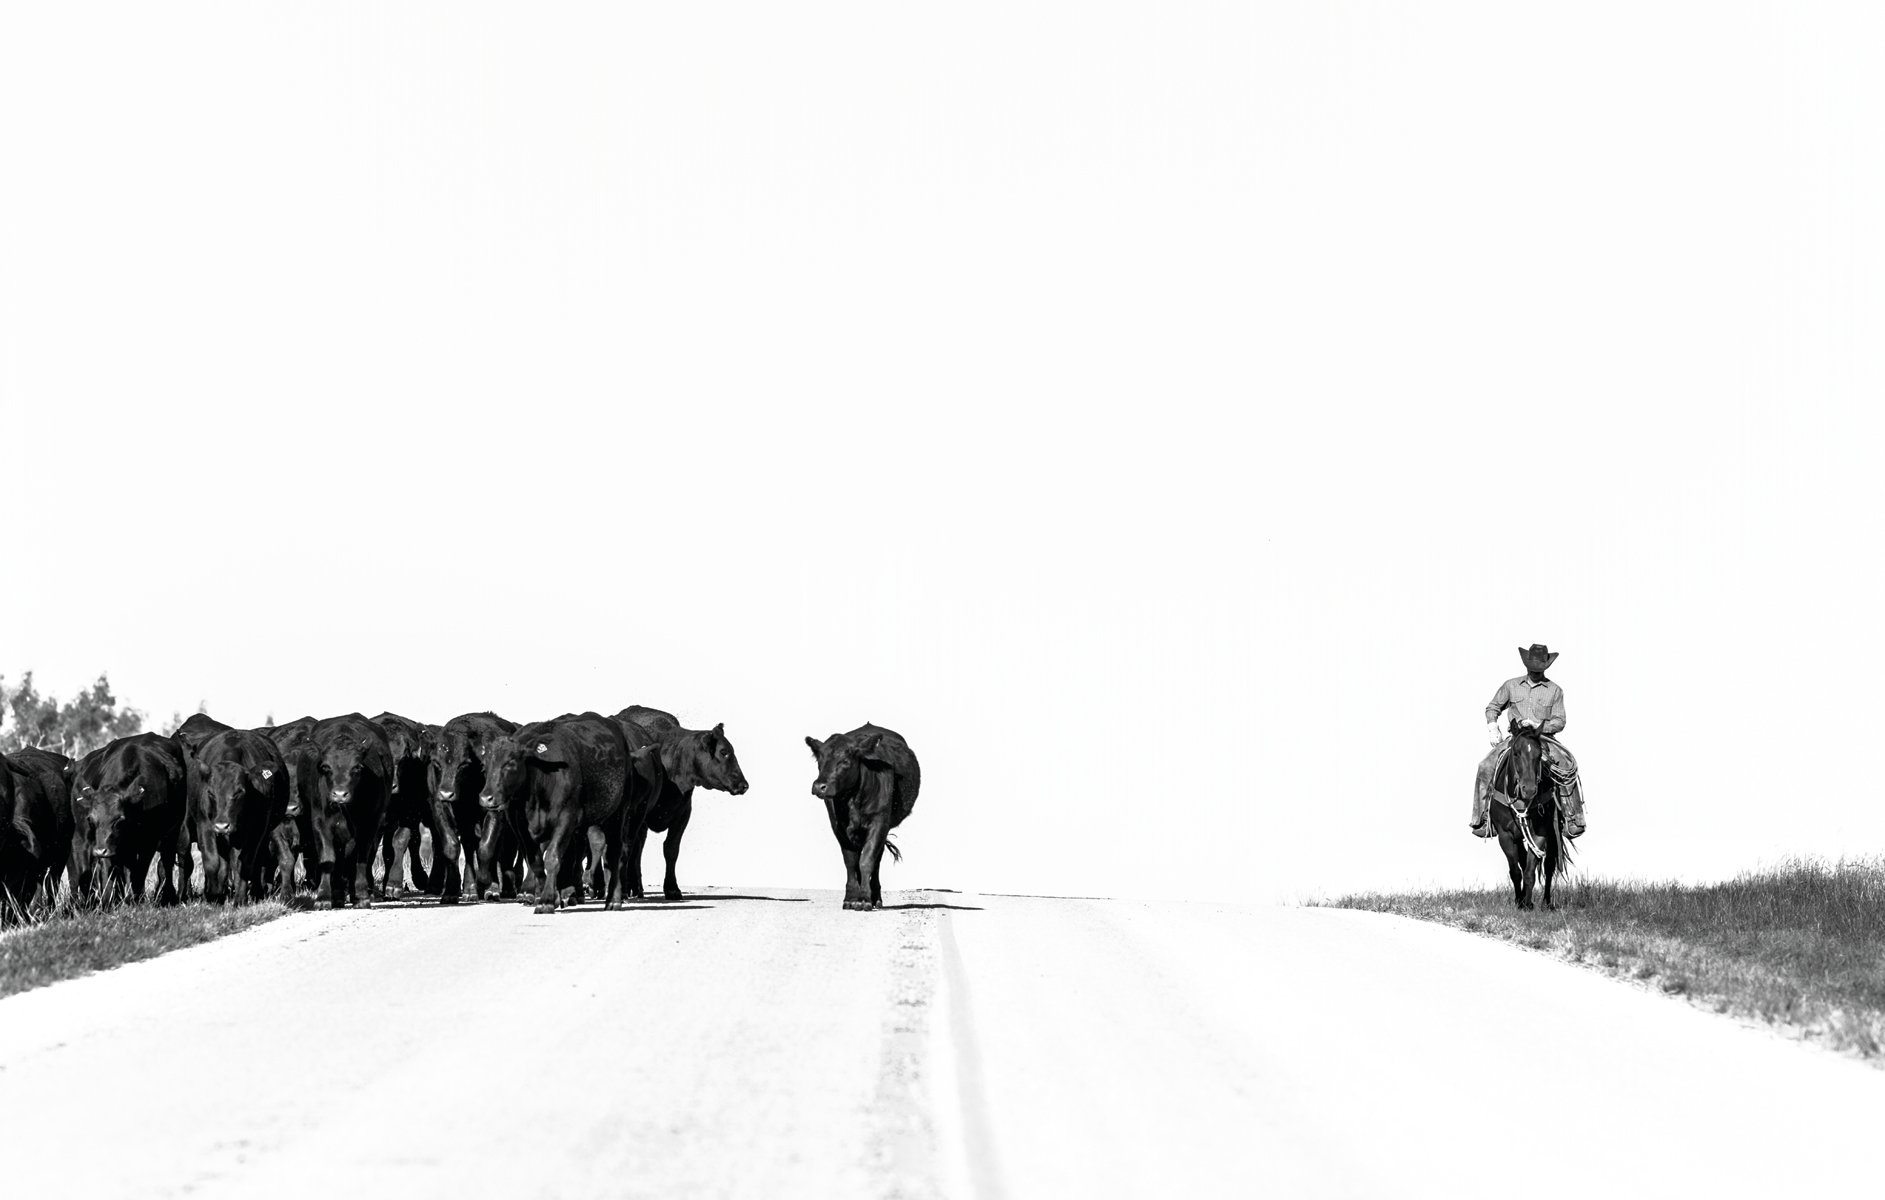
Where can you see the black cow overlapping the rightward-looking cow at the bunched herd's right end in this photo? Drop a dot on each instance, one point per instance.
(572, 777)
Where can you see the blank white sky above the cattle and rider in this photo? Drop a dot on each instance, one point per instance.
(1170, 417)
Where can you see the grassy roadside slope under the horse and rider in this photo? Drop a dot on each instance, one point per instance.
(1799, 947)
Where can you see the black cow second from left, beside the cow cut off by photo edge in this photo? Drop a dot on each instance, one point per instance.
(137, 802)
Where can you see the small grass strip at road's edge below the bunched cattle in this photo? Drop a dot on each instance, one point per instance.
(76, 943)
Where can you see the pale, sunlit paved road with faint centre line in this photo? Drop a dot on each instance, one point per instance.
(770, 1045)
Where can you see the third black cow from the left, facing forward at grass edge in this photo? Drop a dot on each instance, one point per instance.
(238, 800)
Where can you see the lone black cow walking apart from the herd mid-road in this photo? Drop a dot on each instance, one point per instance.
(868, 781)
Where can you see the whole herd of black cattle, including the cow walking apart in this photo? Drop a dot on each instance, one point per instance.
(551, 813)
